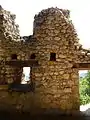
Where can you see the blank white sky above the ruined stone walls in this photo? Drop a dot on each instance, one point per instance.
(26, 9)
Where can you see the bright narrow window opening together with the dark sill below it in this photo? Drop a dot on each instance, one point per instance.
(26, 84)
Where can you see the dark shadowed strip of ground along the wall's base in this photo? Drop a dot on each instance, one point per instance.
(46, 115)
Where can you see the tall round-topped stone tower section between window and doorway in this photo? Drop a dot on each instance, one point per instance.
(57, 53)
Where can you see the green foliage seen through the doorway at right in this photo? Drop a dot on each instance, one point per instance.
(85, 89)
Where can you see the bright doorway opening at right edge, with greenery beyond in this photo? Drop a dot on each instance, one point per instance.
(84, 89)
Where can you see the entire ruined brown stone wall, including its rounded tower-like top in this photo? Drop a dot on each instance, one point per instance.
(56, 47)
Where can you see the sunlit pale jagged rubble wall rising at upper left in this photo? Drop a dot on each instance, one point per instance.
(8, 28)
